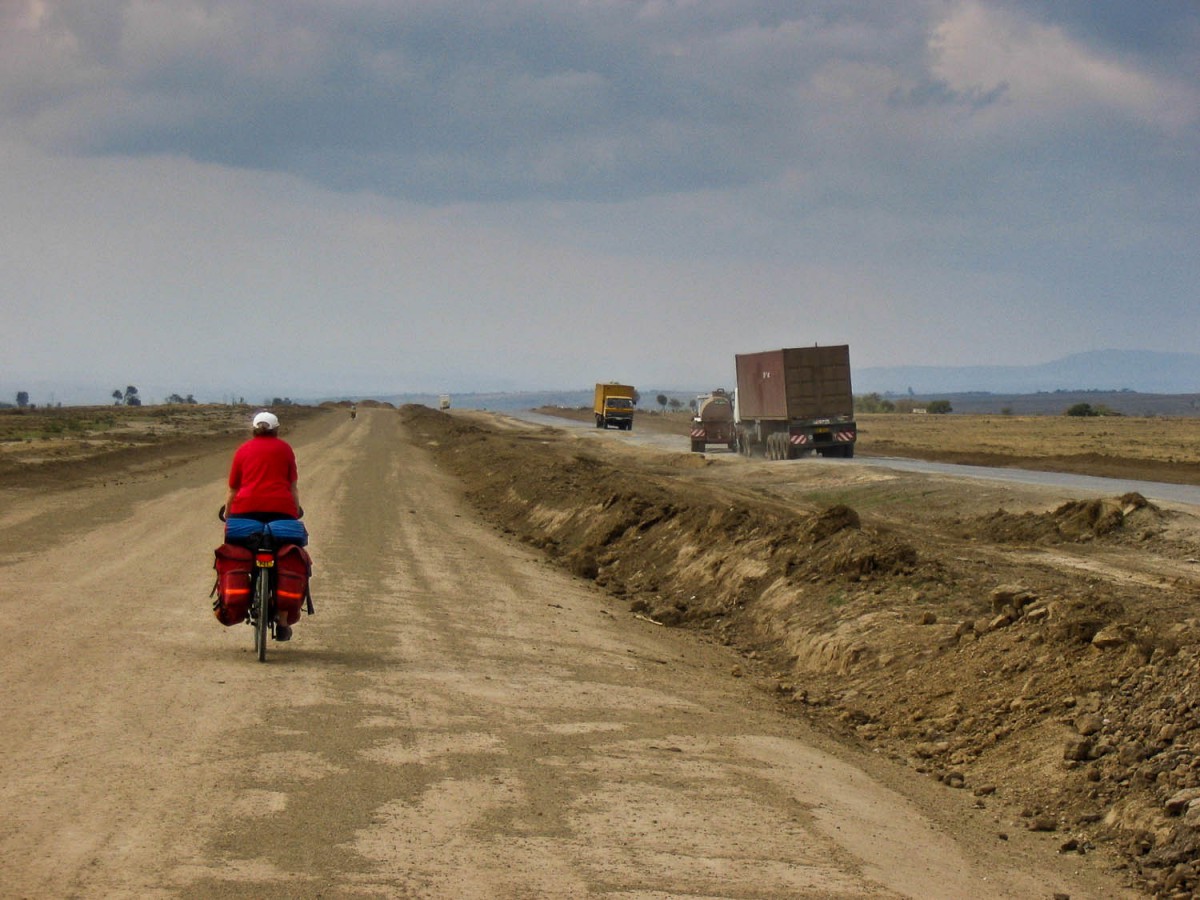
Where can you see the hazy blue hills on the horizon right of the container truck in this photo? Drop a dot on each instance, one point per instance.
(1143, 371)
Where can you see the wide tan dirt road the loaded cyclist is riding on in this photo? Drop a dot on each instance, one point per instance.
(459, 721)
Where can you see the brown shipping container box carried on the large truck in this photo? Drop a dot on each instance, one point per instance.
(797, 383)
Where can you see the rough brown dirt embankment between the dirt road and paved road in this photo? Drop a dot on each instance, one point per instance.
(1040, 655)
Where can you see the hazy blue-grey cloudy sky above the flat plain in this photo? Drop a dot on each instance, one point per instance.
(309, 200)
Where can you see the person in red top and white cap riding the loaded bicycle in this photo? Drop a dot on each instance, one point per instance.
(263, 485)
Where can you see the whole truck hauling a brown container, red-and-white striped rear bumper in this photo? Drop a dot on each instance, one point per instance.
(794, 403)
